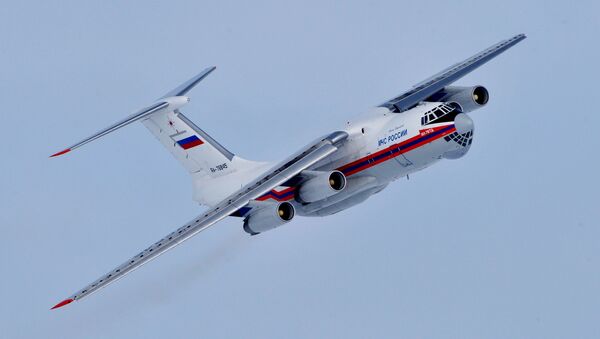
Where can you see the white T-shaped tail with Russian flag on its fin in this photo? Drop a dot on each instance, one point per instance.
(215, 171)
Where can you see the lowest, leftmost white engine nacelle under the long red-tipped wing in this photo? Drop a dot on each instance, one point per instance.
(269, 217)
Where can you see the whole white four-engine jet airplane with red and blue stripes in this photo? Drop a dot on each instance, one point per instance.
(405, 134)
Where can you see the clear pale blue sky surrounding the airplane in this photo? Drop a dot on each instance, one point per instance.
(503, 243)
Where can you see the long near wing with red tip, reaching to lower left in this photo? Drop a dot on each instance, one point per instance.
(263, 184)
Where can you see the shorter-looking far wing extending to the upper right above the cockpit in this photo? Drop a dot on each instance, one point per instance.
(431, 85)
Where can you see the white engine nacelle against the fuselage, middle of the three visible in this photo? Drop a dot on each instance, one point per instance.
(321, 186)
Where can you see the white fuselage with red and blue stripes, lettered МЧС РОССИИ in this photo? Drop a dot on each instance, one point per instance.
(381, 147)
